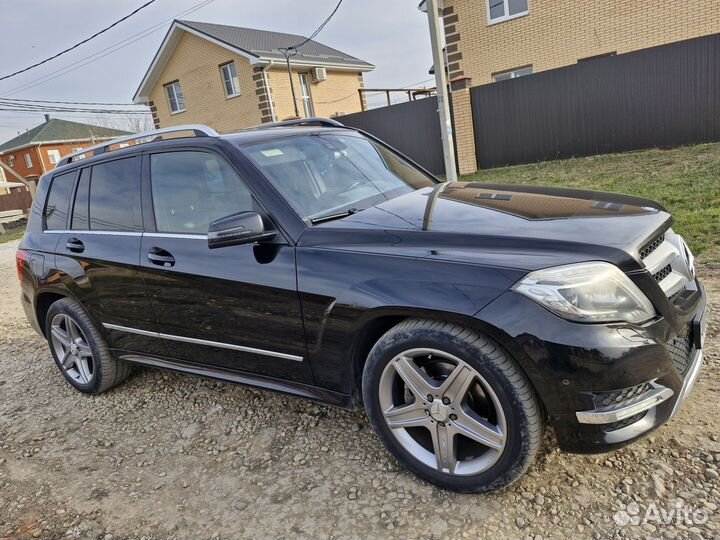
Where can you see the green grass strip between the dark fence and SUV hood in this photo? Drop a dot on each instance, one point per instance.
(685, 180)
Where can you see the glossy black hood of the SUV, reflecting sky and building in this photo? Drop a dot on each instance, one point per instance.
(520, 226)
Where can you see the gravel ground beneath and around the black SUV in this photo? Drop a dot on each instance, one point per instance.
(174, 456)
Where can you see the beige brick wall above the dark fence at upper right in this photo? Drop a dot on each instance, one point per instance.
(559, 32)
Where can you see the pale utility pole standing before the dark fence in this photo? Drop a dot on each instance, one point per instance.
(433, 8)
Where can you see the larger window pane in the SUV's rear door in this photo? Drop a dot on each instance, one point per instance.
(115, 195)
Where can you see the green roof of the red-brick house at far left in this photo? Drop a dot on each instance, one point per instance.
(56, 130)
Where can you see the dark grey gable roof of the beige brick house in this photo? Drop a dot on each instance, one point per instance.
(258, 46)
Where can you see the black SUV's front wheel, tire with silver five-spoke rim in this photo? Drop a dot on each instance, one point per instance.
(479, 439)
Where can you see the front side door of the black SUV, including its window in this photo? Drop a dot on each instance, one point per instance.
(235, 307)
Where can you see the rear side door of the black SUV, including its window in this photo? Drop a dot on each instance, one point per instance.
(99, 252)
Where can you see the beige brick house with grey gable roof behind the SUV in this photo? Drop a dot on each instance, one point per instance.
(230, 78)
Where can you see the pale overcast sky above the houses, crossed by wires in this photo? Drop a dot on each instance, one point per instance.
(392, 34)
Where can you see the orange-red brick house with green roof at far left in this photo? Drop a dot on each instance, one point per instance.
(37, 151)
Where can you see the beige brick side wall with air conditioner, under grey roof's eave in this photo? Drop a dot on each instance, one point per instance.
(339, 93)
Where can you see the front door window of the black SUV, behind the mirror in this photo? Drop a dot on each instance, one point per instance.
(191, 189)
